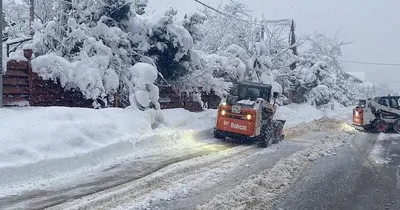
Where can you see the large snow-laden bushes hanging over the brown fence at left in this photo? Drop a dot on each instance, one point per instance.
(102, 41)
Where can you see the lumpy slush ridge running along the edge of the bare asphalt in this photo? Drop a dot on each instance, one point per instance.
(260, 191)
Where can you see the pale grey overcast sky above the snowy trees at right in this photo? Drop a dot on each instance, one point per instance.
(372, 25)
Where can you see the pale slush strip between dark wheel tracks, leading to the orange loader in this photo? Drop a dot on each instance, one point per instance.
(126, 192)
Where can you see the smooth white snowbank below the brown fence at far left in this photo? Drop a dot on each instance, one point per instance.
(35, 134)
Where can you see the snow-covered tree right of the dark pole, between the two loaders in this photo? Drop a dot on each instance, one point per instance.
(320, 79)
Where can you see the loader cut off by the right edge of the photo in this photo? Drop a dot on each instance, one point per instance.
(380, 114)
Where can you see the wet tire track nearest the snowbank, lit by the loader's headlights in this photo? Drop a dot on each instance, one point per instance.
(111, 177)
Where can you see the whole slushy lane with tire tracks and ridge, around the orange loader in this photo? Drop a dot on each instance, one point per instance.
(212, 176)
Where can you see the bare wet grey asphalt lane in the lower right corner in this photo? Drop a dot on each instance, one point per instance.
(352, 179)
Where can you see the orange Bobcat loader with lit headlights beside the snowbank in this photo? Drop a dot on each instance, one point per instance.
(247, 114)
